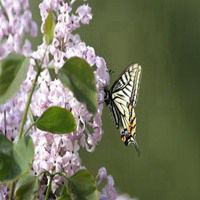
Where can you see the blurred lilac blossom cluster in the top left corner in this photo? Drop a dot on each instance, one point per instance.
(16, 21)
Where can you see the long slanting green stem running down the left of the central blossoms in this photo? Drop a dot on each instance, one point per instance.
(28, 104)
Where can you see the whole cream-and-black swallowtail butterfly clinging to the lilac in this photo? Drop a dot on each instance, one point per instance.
(121, 100)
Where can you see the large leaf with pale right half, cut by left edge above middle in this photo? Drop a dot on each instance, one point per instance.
(13, 70)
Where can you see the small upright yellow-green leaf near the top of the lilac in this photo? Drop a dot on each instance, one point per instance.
(49, 26)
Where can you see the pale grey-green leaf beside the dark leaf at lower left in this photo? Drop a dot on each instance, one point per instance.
(24, 153)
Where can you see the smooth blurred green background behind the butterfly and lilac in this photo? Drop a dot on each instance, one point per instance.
(164, 37)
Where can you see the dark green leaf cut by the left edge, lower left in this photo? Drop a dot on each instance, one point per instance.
(9, 168)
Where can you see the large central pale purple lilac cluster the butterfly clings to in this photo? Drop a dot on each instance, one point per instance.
(60, 153)
